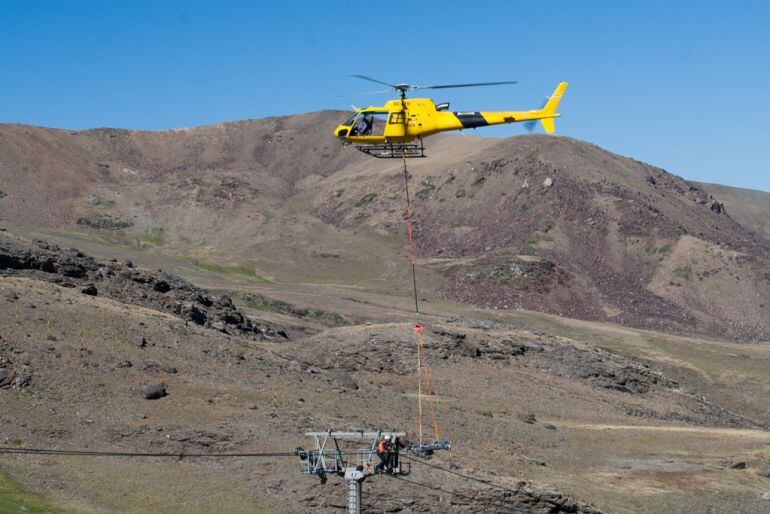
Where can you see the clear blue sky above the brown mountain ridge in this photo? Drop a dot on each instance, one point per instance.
(682, 85)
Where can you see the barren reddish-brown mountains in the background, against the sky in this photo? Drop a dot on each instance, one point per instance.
(533, 222)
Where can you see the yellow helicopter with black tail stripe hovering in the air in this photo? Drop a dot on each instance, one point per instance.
(390, 131)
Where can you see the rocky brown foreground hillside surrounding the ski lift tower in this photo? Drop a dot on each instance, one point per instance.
(556, 419)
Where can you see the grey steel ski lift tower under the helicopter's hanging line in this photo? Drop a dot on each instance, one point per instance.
(353, 455)
